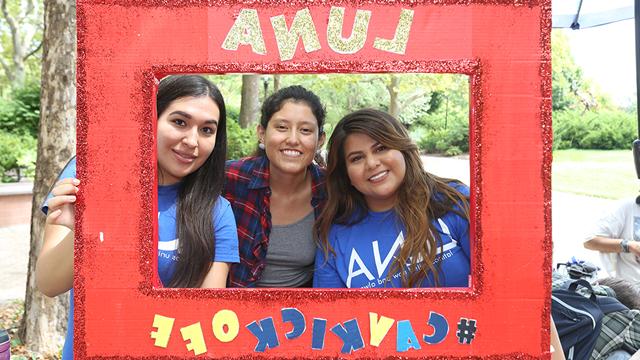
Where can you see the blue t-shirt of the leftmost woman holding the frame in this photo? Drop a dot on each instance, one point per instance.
(224, 224)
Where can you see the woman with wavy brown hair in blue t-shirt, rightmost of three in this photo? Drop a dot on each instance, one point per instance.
(388, 222)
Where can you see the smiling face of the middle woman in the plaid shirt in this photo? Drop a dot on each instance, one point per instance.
(291, 138)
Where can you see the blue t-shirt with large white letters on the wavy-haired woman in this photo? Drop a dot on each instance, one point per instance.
(365, 251)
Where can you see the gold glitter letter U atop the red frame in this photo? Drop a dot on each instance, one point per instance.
(355, 42)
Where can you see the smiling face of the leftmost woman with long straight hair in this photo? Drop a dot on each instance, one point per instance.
(186, 137)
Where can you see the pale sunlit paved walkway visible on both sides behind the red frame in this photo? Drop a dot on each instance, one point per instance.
(571, 215)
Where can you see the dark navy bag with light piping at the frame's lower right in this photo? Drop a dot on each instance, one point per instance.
(578, 319)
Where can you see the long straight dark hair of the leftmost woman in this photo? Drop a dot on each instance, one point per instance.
(200, 189)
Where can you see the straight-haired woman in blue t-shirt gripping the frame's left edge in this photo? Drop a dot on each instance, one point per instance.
(197, 238)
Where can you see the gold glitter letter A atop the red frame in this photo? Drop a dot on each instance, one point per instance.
(246, 31)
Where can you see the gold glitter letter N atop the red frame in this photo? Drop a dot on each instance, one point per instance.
(287, 39)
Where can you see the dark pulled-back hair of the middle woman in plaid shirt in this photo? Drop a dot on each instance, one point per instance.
(295, 94)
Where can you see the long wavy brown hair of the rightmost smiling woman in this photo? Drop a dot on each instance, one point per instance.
(346, 205)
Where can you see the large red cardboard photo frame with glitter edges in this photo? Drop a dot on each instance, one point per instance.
(124, 47)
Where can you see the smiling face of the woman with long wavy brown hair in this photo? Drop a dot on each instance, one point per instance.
(374, 170)
